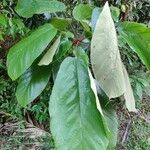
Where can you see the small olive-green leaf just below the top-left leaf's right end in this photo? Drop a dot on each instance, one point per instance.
(61, 23)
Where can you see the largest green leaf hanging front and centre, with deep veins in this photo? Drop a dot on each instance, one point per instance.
(76, 123)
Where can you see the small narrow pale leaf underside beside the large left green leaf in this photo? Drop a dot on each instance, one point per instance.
(48, 57)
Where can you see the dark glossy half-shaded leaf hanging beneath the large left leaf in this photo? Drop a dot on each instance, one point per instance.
(32, 83)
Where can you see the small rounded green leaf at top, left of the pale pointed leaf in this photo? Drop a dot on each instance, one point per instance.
(82, 12)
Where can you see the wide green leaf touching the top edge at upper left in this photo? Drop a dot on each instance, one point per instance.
(27, 8)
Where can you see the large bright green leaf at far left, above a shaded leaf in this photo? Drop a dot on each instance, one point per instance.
(22, 55)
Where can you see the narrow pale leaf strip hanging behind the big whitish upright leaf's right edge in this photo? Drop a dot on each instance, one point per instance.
(128, 95)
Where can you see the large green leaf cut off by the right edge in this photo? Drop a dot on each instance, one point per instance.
(138, 38)
